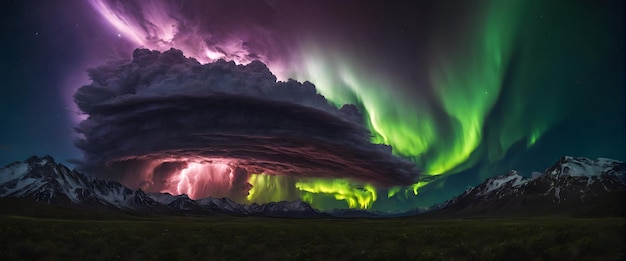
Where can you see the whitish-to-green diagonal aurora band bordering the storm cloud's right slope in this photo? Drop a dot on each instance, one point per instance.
(408, 126)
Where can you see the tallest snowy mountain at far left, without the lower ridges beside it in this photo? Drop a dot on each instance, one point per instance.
(44, 180)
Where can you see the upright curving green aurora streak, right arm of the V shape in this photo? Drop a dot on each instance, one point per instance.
(469, 84)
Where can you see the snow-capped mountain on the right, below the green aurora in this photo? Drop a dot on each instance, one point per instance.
(572, 183)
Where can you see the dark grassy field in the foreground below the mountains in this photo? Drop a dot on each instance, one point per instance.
(50, 233)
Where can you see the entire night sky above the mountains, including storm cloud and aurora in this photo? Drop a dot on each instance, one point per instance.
(460, 91)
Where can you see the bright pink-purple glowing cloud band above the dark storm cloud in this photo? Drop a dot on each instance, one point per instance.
(161, 25)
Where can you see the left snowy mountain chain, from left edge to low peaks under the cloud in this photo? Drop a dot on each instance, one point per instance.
(44, 180)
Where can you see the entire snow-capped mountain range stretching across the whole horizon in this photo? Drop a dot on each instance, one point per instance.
(574, 186)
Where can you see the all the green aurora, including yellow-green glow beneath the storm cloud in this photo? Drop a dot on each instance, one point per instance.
(498, 73)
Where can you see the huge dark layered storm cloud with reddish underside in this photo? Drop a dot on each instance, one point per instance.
(169, 109)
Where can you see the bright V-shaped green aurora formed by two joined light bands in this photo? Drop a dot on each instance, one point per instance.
(466, 84)
